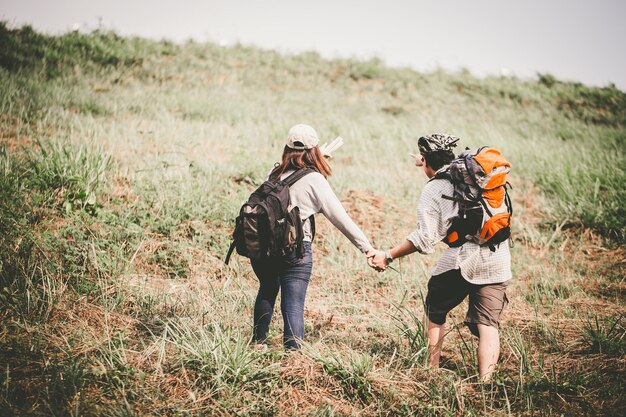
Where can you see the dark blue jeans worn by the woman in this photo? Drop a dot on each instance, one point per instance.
(291, 275)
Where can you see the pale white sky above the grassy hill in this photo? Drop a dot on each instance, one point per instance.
(572, 39)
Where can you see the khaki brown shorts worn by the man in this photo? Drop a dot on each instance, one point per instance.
(448, 290)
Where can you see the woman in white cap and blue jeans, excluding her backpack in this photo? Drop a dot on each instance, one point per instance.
(312, 194)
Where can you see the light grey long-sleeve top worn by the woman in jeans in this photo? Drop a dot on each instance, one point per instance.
(313, 194)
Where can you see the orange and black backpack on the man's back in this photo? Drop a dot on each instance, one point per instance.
(479, 177)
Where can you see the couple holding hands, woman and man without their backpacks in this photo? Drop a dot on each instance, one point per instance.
(469, 269)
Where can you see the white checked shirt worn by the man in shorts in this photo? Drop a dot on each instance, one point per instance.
(478, 265)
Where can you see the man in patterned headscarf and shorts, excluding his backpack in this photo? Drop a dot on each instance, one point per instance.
(468, 270)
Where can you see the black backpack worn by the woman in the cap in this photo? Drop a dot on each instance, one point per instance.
(265, 226)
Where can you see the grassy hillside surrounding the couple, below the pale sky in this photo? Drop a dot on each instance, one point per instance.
(124, 161)
